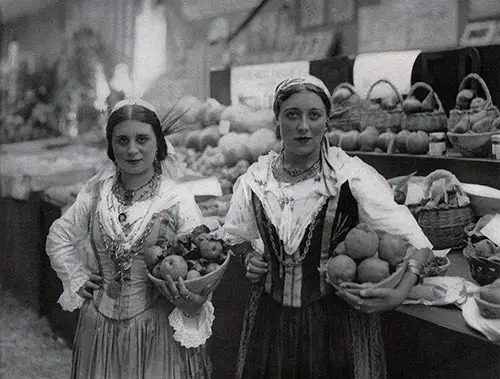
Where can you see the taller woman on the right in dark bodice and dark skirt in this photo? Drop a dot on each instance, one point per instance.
(298, 205)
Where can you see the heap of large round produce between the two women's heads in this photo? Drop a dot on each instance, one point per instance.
(215, 140)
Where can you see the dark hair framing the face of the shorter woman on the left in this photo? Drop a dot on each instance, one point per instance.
(140, 113)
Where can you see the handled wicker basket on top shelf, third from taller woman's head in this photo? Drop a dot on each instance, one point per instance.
(429, 122)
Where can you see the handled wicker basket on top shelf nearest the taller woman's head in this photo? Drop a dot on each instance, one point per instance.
(345, 116)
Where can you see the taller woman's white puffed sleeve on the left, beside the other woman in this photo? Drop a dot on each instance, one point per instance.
(240, 224)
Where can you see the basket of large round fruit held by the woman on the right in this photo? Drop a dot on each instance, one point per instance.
(366, 259)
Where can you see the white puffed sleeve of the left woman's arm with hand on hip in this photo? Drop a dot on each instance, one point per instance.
(65, 235)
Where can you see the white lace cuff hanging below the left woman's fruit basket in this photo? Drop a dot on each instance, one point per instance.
(192, 331)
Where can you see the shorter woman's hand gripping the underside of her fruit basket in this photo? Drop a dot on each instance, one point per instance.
(187, 301)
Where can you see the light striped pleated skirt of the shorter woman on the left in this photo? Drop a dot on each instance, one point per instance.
(139, 348)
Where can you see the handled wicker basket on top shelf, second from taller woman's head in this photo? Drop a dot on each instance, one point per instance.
(383, 119)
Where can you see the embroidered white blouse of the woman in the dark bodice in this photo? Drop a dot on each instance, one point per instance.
(292, 207)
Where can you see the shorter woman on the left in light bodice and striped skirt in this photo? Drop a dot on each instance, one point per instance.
(126, 329)
